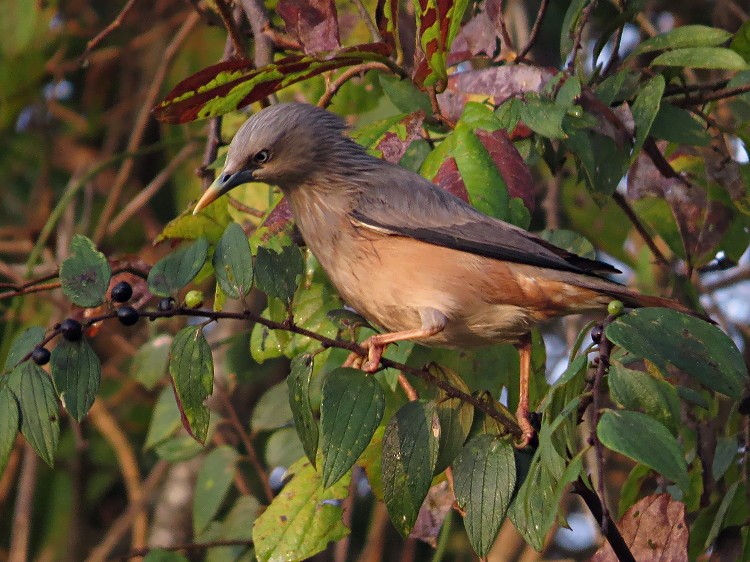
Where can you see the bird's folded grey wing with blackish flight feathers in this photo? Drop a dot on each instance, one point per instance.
(392, 200)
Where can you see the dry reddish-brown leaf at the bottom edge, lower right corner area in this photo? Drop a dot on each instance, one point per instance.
(654, 530)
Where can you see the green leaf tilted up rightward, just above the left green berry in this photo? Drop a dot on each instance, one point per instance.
(174, 271)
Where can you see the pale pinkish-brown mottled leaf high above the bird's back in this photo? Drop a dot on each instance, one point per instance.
(496, 84)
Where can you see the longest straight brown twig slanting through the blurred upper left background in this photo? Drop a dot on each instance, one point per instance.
(139, 128)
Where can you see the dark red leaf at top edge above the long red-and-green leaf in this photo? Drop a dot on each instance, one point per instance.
(313, 23)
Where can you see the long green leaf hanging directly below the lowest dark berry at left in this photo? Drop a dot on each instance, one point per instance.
(39, 412)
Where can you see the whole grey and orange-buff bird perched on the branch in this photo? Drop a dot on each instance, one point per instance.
(407, 255)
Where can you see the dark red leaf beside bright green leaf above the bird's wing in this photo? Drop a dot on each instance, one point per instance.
(510, 164)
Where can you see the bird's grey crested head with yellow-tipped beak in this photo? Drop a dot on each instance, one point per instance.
(286, 145)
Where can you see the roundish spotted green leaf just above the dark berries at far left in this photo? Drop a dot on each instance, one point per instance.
(84, 276)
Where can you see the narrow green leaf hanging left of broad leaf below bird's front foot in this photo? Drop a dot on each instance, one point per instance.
(298, 382)
